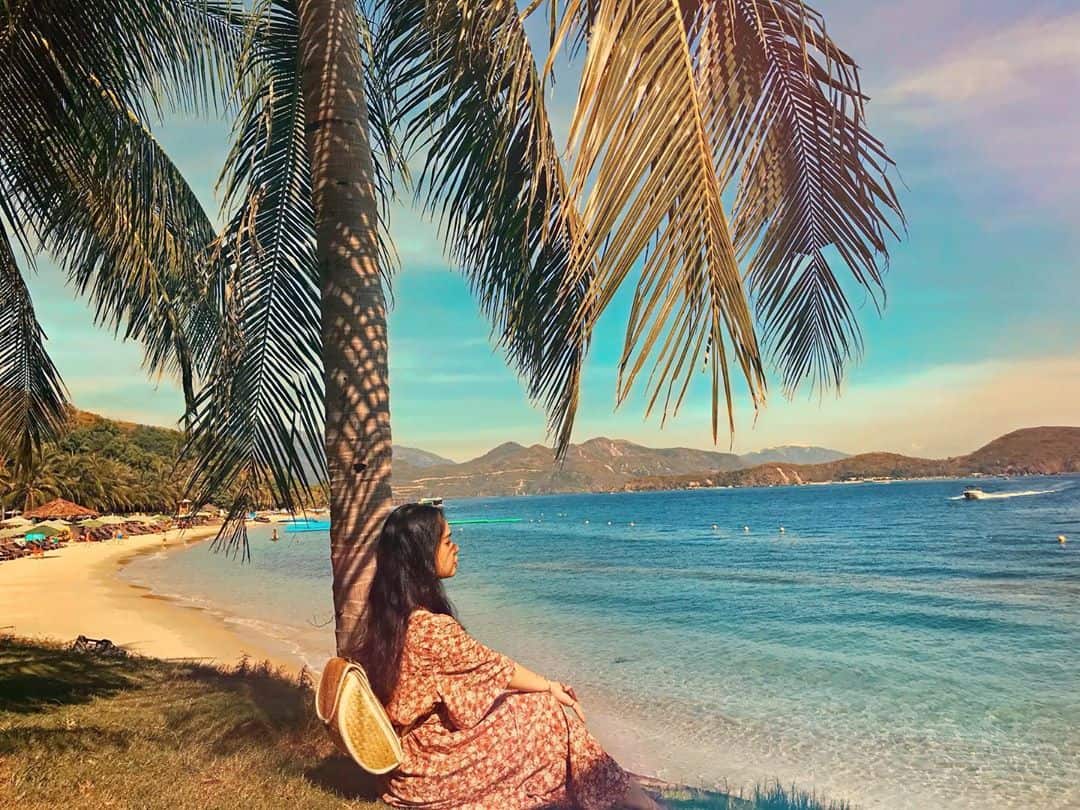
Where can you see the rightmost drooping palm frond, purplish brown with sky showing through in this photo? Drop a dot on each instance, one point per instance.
(813, 185)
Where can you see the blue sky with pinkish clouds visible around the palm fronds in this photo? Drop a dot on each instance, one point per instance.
(977, 102)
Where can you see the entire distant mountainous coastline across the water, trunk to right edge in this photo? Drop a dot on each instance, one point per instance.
(607, 465)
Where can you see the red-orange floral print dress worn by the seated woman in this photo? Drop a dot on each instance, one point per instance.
(472, 746)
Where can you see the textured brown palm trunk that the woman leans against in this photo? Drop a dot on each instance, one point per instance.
(354, 306)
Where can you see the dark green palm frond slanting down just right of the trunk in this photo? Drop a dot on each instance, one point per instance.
(472, 101)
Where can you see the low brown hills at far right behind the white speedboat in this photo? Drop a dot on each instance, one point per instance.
(1028, 452)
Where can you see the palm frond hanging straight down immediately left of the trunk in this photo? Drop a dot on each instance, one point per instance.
(259, 422)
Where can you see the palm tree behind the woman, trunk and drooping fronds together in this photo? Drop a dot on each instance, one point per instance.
(720, 161)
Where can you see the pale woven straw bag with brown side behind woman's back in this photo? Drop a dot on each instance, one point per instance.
(356, 720)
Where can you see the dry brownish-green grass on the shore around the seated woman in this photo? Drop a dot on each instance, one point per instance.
(86, 732)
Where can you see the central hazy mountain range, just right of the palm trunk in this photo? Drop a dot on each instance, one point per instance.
(599, 465)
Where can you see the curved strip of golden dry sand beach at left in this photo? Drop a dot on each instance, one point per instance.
(76, 591)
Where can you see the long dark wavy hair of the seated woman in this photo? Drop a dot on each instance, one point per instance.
(406, 580)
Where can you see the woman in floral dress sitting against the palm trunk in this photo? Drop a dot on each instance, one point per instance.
(479, 731)
